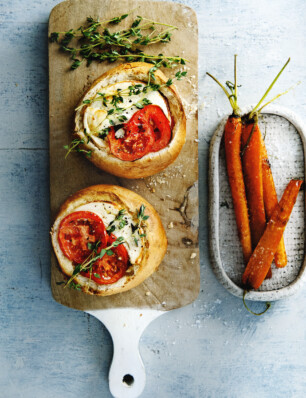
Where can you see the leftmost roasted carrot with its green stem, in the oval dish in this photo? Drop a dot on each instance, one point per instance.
(232, 140)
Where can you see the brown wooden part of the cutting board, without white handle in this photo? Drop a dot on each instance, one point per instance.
(173, 192)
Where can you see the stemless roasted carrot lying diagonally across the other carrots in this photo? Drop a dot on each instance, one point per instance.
(262, 257)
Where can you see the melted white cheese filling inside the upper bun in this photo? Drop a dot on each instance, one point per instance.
(95, 115)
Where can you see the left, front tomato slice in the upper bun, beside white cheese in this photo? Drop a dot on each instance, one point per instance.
(138, 140)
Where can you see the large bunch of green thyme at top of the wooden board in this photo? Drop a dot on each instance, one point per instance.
(90, 44)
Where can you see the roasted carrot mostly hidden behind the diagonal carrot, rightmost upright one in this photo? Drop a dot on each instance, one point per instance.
(270, 201)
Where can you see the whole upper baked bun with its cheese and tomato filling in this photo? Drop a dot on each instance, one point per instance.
(104, 118)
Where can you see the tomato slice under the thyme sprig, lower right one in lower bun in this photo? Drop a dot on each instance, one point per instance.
(109, 269)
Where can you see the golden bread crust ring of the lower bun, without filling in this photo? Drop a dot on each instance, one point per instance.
(156, 241)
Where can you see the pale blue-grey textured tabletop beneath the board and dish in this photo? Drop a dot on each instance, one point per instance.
(213, 348)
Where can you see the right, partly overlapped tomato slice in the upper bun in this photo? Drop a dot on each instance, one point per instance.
(155, 116)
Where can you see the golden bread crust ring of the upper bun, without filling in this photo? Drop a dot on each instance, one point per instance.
(153, 162)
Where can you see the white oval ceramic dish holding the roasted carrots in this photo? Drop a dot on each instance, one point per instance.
(285, 138)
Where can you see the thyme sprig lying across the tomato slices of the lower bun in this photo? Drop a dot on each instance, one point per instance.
(93, 257)
